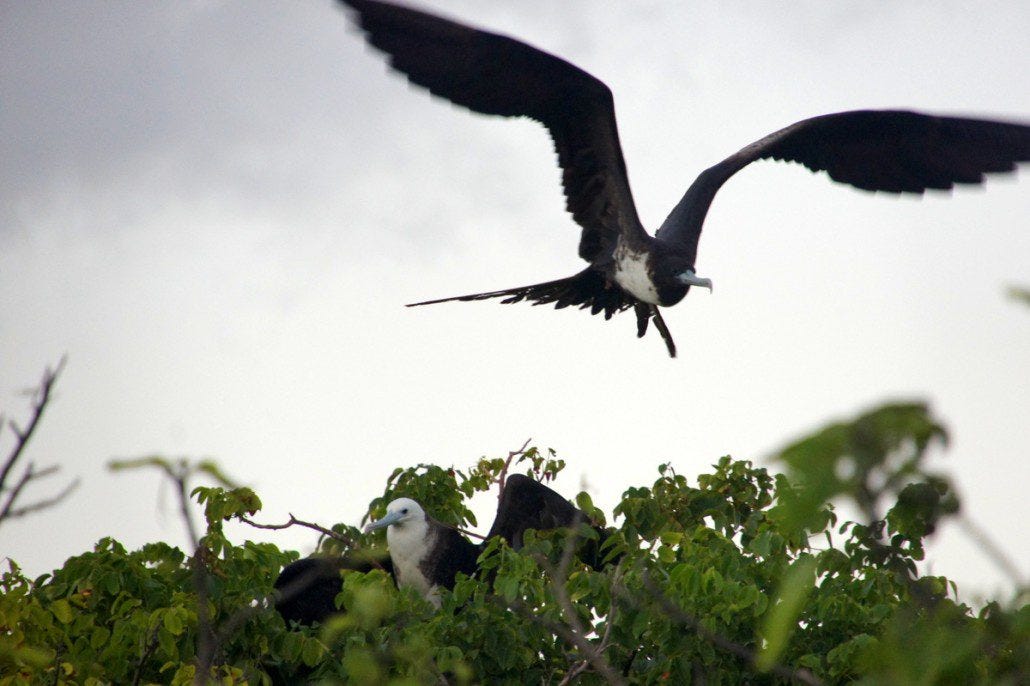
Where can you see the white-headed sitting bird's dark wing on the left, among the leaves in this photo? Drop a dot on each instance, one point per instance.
(307, 589)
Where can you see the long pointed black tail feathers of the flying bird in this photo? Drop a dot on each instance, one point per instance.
(590, 289)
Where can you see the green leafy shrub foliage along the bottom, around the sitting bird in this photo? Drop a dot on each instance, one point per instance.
(736, 576)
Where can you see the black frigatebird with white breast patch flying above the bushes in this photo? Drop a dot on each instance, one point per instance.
(892, 151)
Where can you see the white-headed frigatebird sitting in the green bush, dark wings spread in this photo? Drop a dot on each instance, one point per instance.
(428, 555)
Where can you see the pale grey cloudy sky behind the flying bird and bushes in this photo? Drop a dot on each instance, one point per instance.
(219, 210)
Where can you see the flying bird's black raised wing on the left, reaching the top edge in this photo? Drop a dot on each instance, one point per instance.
(495, 75)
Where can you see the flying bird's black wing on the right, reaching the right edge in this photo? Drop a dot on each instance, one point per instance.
(894, 151)
